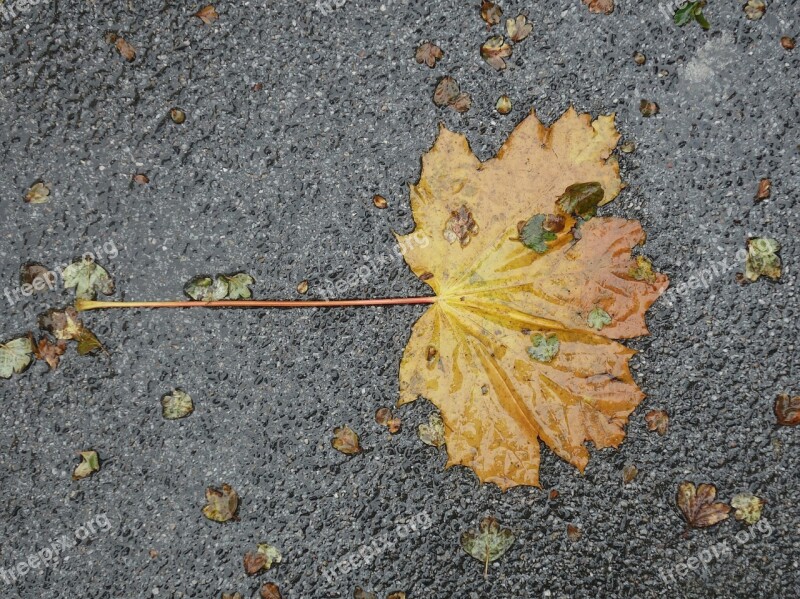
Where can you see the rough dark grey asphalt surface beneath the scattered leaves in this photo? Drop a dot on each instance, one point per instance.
(278, 182)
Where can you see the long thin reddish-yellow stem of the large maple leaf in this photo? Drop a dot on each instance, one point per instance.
(83, 305)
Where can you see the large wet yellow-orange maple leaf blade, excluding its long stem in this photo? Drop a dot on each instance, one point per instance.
(475, 354)
